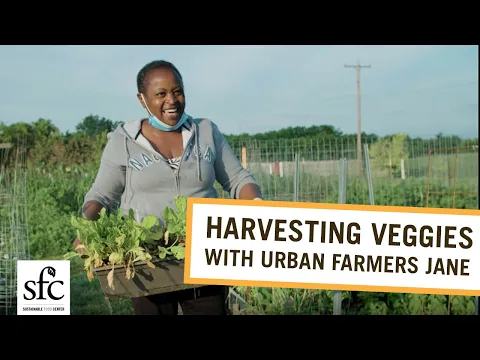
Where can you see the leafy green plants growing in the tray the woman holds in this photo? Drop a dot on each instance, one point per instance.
(118, 240)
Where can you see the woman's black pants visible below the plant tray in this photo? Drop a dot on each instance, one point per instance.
(205, 300)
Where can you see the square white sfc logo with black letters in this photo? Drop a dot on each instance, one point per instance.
(43, 287)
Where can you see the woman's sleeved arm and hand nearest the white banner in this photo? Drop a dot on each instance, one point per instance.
(230, 173)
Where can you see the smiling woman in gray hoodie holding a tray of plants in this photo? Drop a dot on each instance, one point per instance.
(147, 162)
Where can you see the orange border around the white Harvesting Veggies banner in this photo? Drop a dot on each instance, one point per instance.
(306, 205)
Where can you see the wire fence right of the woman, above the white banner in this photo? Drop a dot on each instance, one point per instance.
(403, 172)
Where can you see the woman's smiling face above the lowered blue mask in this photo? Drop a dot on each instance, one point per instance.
(164, 96)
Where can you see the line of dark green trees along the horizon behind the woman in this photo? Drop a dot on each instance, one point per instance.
(46, 145)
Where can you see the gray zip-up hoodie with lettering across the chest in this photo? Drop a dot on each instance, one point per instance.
(134, 176)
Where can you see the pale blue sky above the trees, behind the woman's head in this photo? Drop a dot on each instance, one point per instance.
(419, 90)
